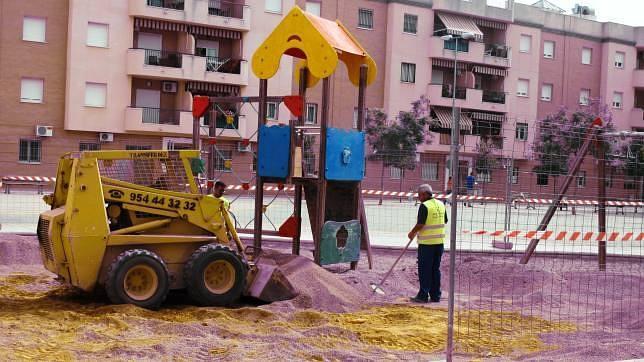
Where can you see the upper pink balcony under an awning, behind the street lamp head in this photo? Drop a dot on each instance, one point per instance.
(473, 52)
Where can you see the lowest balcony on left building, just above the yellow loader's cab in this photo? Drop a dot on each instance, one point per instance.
(158, 121)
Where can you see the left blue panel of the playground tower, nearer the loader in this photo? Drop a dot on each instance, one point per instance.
(274, 151)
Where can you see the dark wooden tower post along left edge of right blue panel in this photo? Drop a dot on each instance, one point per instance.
(321, 196)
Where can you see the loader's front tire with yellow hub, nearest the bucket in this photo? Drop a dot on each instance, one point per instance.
(215, 275)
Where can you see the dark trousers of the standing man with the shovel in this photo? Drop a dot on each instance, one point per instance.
(429, 272)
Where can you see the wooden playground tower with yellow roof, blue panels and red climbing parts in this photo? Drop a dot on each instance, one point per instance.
(331, 183)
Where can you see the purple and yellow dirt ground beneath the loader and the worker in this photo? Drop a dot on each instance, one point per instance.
(505, 311)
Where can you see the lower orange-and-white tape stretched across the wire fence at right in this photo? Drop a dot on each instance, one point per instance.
(562, 235)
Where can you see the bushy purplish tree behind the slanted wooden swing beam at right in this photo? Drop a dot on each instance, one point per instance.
(561, 135)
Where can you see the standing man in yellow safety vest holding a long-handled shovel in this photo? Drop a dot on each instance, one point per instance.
(430, 229)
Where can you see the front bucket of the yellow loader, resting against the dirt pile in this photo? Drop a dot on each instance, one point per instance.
(268, 282)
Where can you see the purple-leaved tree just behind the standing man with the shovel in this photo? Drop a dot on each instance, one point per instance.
(395, 142)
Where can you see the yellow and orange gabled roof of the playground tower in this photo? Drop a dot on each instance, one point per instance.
(319, 41)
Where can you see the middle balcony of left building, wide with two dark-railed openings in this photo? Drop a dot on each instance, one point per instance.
(176, 66)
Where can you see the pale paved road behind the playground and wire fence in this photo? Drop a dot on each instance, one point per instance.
(390, 222)
